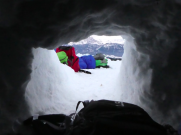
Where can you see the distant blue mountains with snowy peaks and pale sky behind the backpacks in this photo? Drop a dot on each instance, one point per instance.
(109, 45)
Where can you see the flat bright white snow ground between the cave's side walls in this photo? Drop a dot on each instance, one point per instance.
(100, 84)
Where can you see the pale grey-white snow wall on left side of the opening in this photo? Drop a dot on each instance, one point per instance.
(48, 90)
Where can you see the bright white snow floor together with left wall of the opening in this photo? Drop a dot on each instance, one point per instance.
(56, 88)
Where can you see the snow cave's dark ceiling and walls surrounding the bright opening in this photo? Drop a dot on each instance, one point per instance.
(32, 80)
